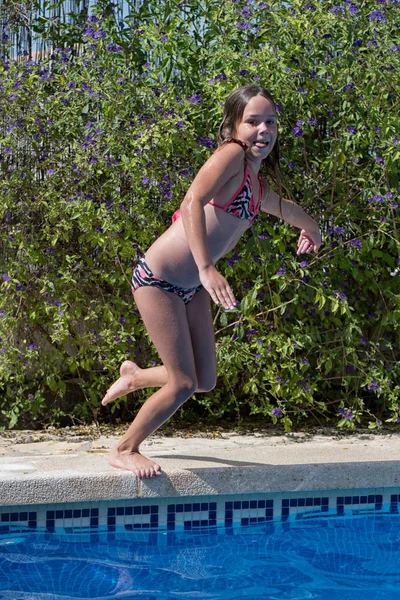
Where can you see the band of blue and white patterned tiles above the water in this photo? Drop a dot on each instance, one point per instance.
(196, 513)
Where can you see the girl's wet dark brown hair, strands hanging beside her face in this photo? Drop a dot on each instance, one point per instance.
(233, 113)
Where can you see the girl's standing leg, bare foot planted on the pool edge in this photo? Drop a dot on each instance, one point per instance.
(165, 319)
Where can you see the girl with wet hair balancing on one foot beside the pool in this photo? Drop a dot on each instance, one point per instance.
(174, 282)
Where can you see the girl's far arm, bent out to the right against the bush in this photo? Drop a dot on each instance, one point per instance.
(292, 213)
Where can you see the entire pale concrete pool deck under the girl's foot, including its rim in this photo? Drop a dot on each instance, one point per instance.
(73, 470)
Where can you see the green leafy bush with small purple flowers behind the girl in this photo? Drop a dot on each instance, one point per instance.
(97, 151)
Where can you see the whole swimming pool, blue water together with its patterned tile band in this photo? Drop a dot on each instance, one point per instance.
(321, 545)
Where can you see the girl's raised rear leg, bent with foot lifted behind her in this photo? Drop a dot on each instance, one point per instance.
(201, 328)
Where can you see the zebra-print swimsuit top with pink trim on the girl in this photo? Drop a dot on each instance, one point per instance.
(242, 203)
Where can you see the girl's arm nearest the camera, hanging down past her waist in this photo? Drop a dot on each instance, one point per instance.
(224, 164)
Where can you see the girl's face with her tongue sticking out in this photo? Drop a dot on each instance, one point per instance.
(258, 127)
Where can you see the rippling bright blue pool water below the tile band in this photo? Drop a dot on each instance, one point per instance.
(335, 558)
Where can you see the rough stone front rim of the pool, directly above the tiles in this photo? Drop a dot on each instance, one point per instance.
(67, 486)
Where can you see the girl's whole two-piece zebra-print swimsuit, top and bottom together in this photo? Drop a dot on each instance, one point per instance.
(242, 205)
